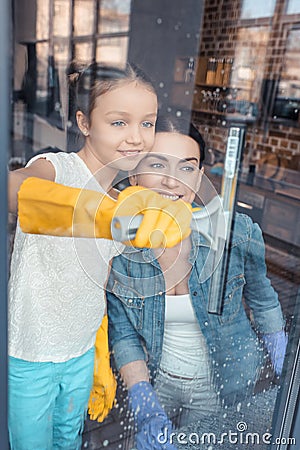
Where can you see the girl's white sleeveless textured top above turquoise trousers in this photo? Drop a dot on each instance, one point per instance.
(55, 302)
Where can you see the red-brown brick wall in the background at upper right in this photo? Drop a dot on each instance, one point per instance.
(225, 35)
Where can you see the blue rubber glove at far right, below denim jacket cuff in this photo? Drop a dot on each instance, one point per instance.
(275, 344)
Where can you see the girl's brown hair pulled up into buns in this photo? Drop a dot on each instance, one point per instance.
(88, 83)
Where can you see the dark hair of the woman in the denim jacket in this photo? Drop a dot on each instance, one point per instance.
(171, 124)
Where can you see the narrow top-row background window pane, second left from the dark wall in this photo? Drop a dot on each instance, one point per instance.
(84, 17)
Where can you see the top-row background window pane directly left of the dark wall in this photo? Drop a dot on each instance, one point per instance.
(114, 16)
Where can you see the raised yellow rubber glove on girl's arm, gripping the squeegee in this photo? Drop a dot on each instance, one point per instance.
(46, 207)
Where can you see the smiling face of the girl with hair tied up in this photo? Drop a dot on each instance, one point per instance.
(121, 127)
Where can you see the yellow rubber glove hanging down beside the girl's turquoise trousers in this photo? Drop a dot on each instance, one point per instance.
(103, 393)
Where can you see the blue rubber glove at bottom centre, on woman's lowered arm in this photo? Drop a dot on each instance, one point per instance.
(152, 423)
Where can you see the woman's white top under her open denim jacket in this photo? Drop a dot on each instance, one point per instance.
(184, 351)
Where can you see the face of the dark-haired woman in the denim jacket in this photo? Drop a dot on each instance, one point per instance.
(171, 168)
